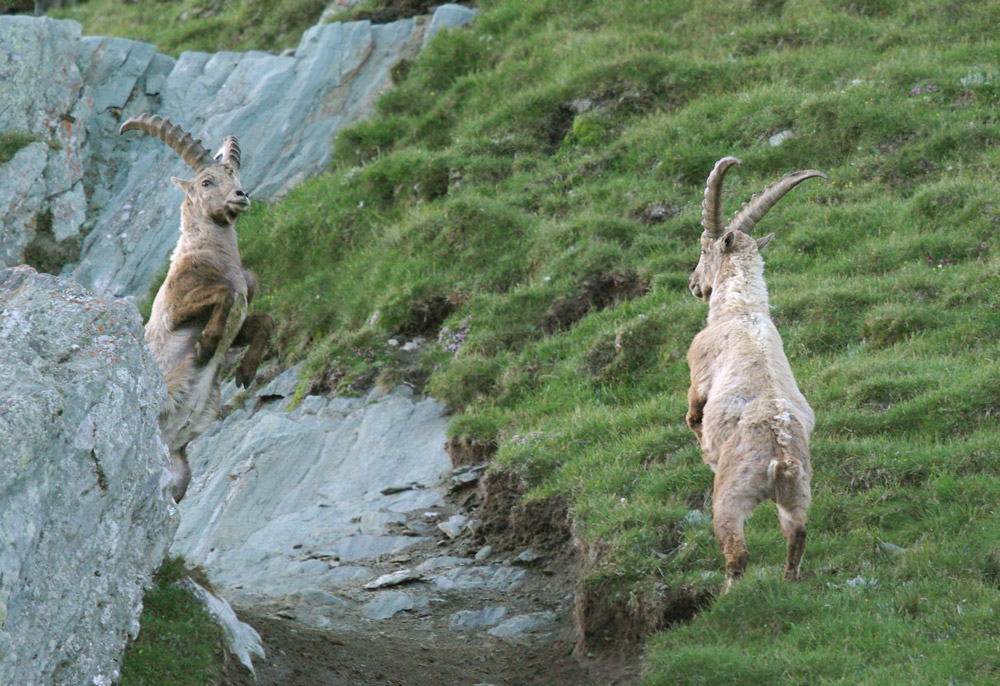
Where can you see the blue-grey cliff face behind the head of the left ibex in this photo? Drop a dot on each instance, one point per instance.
(101, 203)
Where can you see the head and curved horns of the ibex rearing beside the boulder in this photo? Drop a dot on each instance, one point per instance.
(215, 192)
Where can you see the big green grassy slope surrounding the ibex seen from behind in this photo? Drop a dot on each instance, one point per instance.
(475, 188)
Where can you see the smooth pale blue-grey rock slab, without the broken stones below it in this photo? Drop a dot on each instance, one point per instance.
(284, 502)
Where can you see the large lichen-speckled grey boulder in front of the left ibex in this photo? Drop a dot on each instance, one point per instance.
(85, 507)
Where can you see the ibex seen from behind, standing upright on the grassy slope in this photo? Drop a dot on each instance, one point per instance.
(752, 422)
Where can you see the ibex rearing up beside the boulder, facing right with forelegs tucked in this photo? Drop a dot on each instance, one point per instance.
(200, 310)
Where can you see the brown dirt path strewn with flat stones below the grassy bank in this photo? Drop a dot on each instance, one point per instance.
(423, 646)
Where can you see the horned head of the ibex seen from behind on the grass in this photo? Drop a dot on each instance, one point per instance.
(718, 241)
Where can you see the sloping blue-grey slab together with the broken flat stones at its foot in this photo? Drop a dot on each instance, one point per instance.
(345, 514)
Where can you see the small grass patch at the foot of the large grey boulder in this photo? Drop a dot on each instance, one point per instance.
(178, 643)
